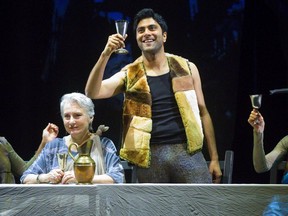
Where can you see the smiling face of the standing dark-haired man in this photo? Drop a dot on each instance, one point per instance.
(149, 35)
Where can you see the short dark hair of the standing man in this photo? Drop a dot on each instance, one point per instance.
(149, 13)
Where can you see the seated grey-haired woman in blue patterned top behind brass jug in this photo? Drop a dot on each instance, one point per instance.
(77, 112)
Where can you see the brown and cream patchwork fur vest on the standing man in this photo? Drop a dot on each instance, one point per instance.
(137, 114)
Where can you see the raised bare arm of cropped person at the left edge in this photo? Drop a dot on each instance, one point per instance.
(12, 165)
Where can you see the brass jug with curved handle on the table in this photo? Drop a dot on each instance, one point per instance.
(84, 165)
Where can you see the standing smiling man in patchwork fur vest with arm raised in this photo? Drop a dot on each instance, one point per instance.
(165, 118)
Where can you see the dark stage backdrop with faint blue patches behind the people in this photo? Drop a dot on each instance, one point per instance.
(49, 47)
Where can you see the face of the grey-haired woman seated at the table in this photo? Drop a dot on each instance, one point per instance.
(76, 120)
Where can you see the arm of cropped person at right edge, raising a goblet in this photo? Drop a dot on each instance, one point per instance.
(263, 162)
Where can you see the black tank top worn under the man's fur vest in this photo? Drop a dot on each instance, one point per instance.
(167, 123)
